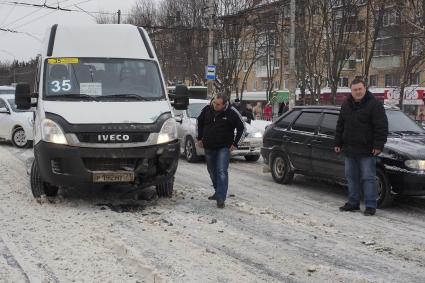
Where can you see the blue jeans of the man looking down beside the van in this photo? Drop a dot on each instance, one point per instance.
(218, 164)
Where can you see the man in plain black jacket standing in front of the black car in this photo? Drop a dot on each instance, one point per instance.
(361, 134)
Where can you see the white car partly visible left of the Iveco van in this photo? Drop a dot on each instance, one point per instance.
(15, 125)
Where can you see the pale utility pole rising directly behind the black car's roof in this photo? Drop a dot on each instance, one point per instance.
(292, 84)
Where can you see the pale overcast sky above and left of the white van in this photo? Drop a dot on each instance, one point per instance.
(35, 21)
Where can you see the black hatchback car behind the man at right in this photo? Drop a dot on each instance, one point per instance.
(302, 142)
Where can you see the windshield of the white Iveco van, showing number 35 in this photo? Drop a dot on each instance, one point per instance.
(102, 79)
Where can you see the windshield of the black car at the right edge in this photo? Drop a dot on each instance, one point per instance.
(398, 122)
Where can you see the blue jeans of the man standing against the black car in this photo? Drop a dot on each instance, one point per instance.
(360, 173)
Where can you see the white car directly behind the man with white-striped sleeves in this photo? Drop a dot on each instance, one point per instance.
(186, 127)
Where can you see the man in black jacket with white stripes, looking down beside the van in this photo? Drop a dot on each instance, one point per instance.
(216, 134)
